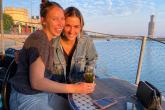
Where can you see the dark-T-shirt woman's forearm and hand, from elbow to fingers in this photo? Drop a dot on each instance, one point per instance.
(55, 87)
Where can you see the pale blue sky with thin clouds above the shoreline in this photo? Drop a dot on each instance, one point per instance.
(118, 17)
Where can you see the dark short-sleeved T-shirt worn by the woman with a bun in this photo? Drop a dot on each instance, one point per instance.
(36, 45)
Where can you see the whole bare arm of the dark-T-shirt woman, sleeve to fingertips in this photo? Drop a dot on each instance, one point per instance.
(39, 82)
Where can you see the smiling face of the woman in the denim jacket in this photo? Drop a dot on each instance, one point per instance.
(72, 27)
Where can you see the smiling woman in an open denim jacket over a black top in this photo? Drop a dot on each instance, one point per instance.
(74, 53)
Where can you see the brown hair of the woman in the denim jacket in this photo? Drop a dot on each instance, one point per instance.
(73, 11)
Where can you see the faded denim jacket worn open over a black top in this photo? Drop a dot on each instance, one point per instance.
(84, 57)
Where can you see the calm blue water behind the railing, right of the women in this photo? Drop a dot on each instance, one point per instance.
(119, 58)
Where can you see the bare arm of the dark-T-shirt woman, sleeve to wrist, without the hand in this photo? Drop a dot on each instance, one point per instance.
(39, 82)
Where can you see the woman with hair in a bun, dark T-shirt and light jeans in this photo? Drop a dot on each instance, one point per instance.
(32, 87)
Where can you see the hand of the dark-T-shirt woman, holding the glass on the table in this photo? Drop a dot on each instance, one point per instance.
(82, 87)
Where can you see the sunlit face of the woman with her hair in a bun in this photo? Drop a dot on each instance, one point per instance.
(54, 21)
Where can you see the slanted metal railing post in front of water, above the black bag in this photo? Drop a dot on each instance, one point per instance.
(140, 60)
